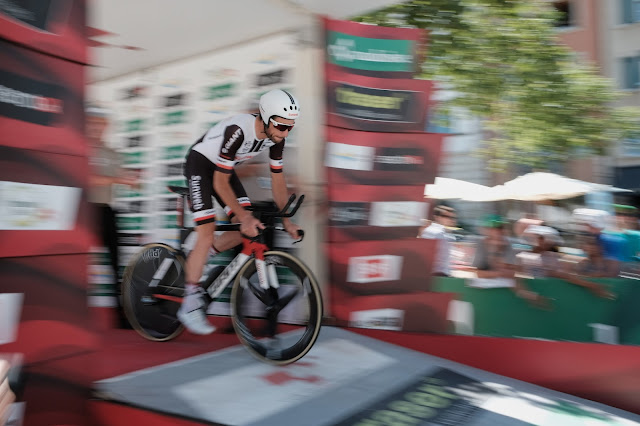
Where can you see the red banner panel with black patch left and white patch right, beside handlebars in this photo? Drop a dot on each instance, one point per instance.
(358, 212)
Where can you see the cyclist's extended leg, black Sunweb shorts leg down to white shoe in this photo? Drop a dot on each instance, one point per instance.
(199, 173)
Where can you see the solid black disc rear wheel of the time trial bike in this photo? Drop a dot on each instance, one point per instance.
(153, 317)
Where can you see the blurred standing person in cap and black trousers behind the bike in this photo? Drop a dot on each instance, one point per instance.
(106, 170)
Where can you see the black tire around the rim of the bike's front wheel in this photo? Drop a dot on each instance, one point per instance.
(248, 270)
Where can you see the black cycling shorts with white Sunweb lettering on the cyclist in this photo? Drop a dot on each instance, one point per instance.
(199, 173)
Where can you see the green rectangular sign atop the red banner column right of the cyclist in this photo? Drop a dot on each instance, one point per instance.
(371, 54)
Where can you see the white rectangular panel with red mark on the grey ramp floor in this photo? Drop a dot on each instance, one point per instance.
(269, 389)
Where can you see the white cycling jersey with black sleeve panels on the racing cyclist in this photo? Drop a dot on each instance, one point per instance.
(233, 141)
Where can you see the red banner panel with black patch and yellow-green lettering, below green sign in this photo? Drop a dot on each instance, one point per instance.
(377, 104)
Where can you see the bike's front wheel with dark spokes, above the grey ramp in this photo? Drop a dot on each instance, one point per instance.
(277, 325)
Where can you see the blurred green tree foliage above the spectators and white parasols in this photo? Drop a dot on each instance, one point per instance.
(539, 102)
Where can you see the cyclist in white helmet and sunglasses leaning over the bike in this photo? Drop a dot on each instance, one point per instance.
(209, 170)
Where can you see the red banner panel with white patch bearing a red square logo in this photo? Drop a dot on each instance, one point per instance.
(382, 267)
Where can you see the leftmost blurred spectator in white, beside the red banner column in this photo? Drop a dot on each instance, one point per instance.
(444, 219)
